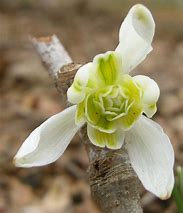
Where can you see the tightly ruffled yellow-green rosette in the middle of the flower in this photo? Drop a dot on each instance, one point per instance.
(114, 106)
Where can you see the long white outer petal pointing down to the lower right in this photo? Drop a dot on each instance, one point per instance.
(151, 156)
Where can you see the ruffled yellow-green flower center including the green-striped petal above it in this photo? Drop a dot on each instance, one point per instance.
(112, 99)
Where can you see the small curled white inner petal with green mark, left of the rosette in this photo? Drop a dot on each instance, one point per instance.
(76, 92)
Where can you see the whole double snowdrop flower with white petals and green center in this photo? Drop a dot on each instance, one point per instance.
(112, 104)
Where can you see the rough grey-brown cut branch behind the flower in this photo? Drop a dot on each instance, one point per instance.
(114, 184)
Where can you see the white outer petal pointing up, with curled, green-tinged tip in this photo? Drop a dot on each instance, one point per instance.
(135, 36)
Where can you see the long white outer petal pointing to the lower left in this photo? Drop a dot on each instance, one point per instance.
(48, 142)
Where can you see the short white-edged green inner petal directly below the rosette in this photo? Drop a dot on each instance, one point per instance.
(113, 140)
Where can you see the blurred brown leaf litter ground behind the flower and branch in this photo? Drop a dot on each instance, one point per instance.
(28, 96)
